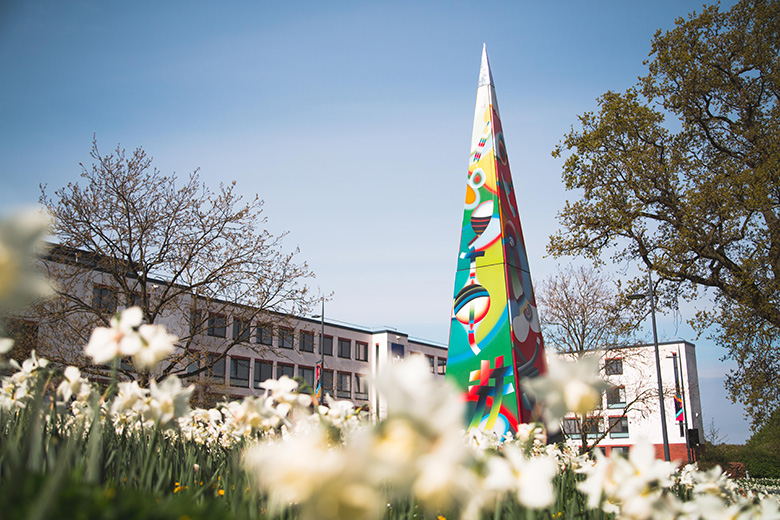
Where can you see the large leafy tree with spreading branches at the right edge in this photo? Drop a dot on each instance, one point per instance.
(682, 173)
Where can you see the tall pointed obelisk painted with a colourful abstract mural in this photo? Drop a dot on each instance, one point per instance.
(495, 339)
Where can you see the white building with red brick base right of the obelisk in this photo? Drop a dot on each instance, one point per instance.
(630, 410)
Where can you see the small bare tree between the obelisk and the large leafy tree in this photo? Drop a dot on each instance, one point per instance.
(583, 313)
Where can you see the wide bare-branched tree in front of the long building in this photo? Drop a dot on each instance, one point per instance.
(189, 257)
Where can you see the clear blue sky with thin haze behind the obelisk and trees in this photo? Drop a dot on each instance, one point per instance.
(352, 120)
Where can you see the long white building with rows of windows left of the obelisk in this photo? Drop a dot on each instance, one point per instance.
(260, 345)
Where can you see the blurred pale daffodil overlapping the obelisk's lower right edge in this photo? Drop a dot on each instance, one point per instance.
(567, 387)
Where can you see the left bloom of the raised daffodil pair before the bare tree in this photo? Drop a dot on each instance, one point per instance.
(120, 339)
